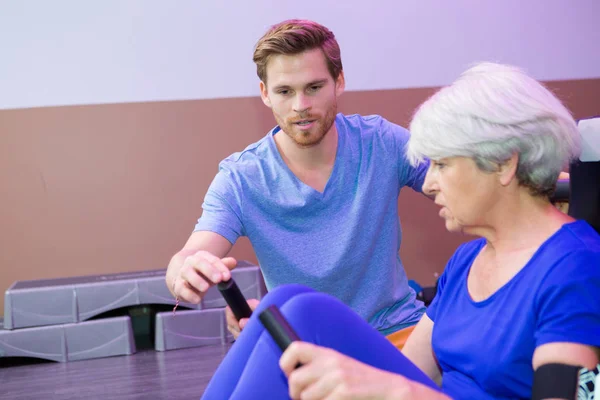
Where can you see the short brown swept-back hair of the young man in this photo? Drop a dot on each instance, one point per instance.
(293, 37)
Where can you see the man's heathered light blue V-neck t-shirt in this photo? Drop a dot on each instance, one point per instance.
(343, 241)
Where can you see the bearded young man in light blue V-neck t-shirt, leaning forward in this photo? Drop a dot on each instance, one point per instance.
(317, 196)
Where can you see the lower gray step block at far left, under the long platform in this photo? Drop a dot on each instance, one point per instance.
(70, 342)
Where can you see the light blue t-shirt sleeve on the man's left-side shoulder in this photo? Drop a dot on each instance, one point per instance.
(222, 207)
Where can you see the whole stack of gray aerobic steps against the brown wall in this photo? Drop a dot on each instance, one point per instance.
(61, 319)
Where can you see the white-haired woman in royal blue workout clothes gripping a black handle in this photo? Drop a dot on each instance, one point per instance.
(523, 294)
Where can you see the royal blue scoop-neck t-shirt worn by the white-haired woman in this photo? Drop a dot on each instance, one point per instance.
(485, 349)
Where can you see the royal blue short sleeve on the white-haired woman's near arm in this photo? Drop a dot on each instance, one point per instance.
(568, 303)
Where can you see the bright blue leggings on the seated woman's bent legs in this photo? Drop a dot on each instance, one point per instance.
(250, 370)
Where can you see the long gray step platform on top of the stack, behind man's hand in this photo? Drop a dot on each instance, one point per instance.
(70, 300)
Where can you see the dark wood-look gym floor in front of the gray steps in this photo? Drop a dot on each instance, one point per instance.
(147, 374)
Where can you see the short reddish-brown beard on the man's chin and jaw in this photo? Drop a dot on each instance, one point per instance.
(315, 134)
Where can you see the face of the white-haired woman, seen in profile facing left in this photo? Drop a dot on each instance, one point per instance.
(466, 194)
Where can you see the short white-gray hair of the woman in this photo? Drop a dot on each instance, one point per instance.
(491, 112)
